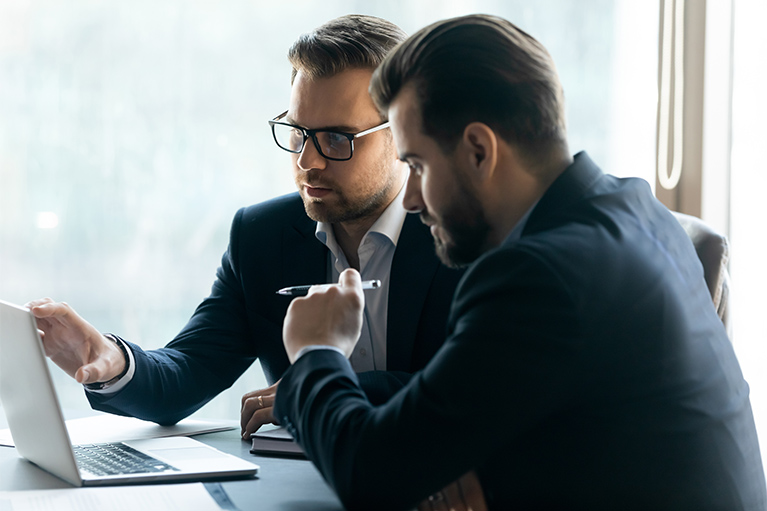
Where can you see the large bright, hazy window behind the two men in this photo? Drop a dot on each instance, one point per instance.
(131, 132)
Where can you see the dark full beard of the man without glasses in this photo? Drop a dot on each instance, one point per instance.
(466, 231)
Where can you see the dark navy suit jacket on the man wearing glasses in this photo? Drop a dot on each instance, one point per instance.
(273, 245)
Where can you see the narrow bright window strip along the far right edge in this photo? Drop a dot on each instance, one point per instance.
(748, 185)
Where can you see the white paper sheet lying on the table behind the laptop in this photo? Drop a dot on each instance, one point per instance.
(115, 428)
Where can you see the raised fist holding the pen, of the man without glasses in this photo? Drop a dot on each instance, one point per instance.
(328, 315)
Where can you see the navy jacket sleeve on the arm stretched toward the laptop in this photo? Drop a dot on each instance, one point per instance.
(209, 354)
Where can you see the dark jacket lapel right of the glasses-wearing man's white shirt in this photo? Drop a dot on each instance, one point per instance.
(412, 272)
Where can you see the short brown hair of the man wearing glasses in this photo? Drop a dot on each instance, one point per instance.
(347, 42)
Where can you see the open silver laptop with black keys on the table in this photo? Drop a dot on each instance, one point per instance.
(37, 425)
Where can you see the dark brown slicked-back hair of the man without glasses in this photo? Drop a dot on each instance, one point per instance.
(478, 68)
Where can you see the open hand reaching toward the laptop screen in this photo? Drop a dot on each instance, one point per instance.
(74, 344)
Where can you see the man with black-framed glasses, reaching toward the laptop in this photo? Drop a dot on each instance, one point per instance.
(347, 214)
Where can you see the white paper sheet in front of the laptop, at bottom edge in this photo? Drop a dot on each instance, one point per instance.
(181, 497)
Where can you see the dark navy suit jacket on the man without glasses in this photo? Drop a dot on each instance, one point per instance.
(585, 368)
